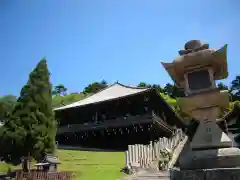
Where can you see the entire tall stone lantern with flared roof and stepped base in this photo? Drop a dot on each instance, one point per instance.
(196, 70)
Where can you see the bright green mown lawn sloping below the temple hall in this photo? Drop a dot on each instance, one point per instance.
(88, 165)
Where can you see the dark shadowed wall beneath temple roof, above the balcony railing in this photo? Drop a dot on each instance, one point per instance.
(133, 105)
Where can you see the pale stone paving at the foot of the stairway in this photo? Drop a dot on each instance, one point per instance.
(146, 175)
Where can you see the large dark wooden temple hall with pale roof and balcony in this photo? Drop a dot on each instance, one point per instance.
(115, 117)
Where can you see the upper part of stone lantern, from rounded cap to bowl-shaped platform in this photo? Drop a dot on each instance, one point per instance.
(196, 71)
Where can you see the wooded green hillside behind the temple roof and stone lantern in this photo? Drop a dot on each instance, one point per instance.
(60, 96)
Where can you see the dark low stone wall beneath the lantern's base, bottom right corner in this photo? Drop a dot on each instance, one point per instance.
(206, 174)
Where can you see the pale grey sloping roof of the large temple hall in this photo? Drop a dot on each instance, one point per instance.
(112, 92)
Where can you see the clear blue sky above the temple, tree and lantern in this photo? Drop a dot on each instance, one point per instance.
(124, 40)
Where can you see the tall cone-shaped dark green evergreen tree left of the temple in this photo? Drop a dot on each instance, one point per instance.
(31, 128)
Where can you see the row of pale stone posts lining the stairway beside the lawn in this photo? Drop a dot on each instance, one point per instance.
(142, 156)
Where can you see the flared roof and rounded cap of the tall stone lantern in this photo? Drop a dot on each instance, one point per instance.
(197, 55)
